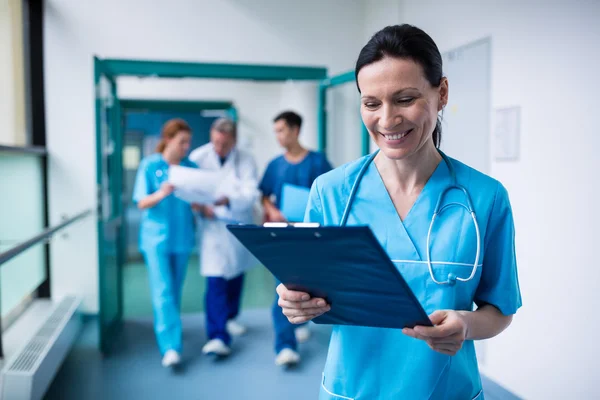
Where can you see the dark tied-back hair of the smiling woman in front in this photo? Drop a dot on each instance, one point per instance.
(409, 42)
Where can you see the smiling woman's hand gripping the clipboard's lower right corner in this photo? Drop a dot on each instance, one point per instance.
(448, 334)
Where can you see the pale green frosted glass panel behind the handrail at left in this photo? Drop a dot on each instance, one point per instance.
(21, 218)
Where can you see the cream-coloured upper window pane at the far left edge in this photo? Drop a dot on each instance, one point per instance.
(12, 75)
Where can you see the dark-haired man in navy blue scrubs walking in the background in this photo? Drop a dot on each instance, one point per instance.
(297, 166)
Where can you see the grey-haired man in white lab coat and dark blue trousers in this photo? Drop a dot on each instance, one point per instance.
(223, 259)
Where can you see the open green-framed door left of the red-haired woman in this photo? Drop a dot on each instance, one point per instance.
(110, 210)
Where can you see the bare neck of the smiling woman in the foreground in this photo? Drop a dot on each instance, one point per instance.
(412, 173)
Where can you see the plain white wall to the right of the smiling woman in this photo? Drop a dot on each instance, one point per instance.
(545, 60)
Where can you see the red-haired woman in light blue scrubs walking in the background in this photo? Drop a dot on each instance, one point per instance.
(166, 234)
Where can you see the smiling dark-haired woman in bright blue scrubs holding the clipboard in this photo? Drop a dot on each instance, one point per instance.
(462, 268)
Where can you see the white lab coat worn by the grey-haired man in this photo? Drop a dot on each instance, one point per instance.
(221, 254)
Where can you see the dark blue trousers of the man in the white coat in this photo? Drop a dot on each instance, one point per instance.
(222, 303)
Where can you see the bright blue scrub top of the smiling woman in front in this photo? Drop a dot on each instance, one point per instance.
(374, 363)
